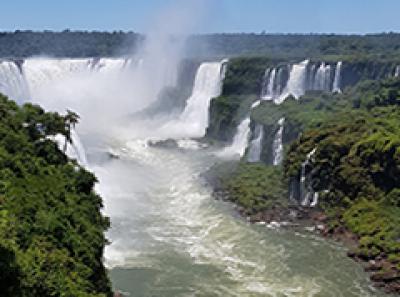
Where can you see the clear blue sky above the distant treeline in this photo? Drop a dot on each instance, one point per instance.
(297, 16)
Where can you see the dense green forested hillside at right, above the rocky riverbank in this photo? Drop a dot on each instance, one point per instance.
(356, 168)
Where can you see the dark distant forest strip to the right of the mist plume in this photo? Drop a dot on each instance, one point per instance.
(298, 45)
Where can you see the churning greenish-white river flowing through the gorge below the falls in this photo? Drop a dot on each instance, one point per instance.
(171, 238)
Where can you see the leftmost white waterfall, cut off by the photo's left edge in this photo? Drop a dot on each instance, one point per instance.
(12, 81)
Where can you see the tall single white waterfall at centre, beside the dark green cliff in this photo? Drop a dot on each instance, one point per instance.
(207, 85)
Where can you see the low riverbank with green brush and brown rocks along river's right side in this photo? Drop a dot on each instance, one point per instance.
(231, 180)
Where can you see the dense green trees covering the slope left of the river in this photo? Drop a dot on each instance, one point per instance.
(51, 227)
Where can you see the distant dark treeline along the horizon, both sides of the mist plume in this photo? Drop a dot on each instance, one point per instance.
(20, 44)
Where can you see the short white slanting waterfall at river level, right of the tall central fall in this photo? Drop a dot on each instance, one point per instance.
(240, 140)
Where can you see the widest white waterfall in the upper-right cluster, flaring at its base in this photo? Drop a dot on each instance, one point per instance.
(296, 85)
